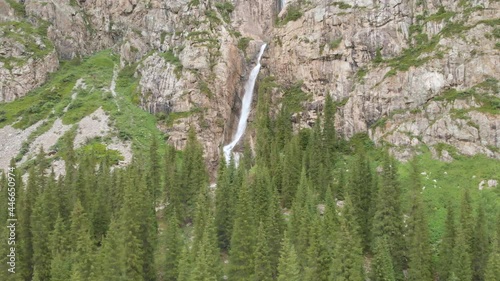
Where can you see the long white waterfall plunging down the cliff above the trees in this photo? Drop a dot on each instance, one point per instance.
(245, 107)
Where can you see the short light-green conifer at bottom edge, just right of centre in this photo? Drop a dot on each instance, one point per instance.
(289, 268)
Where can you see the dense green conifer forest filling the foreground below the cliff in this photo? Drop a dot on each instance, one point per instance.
(304, 206)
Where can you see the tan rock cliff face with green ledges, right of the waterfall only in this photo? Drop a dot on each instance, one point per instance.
(394, 69)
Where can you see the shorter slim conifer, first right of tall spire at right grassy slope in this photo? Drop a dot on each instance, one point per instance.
(447, 245)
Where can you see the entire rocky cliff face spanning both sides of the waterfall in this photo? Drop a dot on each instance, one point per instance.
(406, 72)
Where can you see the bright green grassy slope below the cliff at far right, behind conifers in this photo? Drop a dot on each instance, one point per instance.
(451, 179)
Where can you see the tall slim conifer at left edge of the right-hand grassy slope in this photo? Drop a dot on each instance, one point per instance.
(420, 263)
